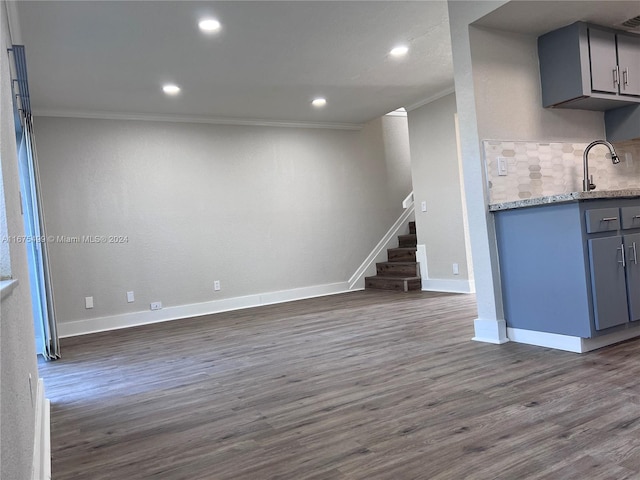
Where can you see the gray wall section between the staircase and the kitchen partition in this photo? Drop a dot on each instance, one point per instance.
(437, 180)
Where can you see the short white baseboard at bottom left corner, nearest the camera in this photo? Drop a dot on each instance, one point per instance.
(41, 468)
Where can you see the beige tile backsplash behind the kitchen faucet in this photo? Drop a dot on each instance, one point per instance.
(537, 169)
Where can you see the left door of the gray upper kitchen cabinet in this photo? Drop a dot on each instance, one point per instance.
(602, 56)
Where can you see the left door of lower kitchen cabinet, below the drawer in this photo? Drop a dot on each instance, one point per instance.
(608, 284)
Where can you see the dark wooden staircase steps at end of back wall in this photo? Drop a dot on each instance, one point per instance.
(400, 272)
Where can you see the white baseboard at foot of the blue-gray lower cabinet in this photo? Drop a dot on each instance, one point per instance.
(567, 342)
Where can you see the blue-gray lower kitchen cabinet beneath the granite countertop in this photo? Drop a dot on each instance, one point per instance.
(571, 268)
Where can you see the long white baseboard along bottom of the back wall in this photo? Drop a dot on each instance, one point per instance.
(114, 322)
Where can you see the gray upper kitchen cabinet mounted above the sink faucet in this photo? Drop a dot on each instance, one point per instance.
(589, 67)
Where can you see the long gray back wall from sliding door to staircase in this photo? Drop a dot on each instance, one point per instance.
(261, 209)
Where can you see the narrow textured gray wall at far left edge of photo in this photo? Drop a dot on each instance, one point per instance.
(17, 346)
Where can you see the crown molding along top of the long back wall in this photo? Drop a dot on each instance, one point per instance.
(193, 119)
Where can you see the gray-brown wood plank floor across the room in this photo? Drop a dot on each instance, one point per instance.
(365, 385)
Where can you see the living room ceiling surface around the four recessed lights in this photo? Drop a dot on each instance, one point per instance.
(268, 62)
